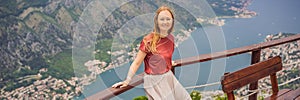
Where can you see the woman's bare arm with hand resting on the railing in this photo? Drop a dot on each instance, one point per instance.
(132, 70)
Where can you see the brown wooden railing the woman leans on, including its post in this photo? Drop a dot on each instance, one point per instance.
(255, 50)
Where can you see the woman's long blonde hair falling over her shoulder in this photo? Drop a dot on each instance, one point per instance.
(153, 37)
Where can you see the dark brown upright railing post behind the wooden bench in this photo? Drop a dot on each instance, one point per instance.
(253, 86)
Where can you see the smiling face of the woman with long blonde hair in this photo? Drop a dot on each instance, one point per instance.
(164, 20)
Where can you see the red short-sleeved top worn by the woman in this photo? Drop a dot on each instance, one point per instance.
(160, 62)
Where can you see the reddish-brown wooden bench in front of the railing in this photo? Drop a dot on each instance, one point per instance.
(240, 78)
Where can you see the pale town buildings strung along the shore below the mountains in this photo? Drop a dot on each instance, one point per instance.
(71, 88)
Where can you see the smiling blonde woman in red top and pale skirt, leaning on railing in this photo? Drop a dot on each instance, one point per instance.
(156, 51)
